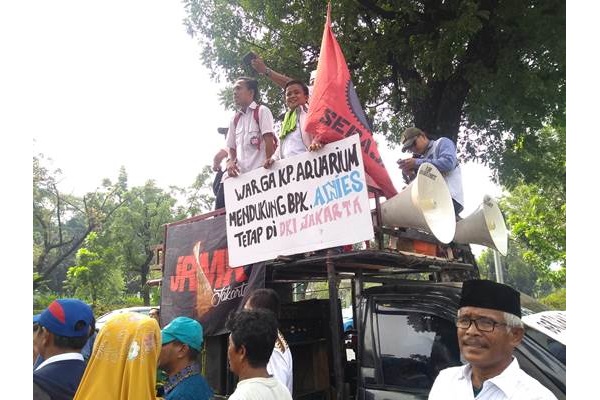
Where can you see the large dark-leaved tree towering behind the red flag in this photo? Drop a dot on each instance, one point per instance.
(494, 68)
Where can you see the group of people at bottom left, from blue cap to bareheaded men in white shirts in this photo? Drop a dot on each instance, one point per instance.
(131, 353)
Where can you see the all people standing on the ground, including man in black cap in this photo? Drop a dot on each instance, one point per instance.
(131, 351)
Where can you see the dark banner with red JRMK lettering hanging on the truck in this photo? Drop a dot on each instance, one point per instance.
(198, 281)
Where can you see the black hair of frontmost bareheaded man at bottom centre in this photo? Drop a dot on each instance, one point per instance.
(256, 330)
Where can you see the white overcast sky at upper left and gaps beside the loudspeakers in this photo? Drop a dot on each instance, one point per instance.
(123, 85)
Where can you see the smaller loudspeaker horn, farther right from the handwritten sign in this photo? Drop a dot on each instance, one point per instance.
(485, 226)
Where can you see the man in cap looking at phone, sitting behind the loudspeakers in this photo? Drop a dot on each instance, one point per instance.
(441, 153)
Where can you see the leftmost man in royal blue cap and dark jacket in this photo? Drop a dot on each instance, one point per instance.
(59, 334)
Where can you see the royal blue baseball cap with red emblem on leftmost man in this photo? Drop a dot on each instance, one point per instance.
(62, 315)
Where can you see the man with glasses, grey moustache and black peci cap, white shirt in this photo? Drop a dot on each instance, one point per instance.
(489, 327)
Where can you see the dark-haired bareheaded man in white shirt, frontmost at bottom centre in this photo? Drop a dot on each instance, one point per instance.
(251, 341)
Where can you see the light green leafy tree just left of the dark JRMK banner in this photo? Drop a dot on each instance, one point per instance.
(137, 228)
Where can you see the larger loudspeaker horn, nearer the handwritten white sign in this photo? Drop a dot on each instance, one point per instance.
(425, 204)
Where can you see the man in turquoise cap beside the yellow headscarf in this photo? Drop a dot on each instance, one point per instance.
(181, 344)
